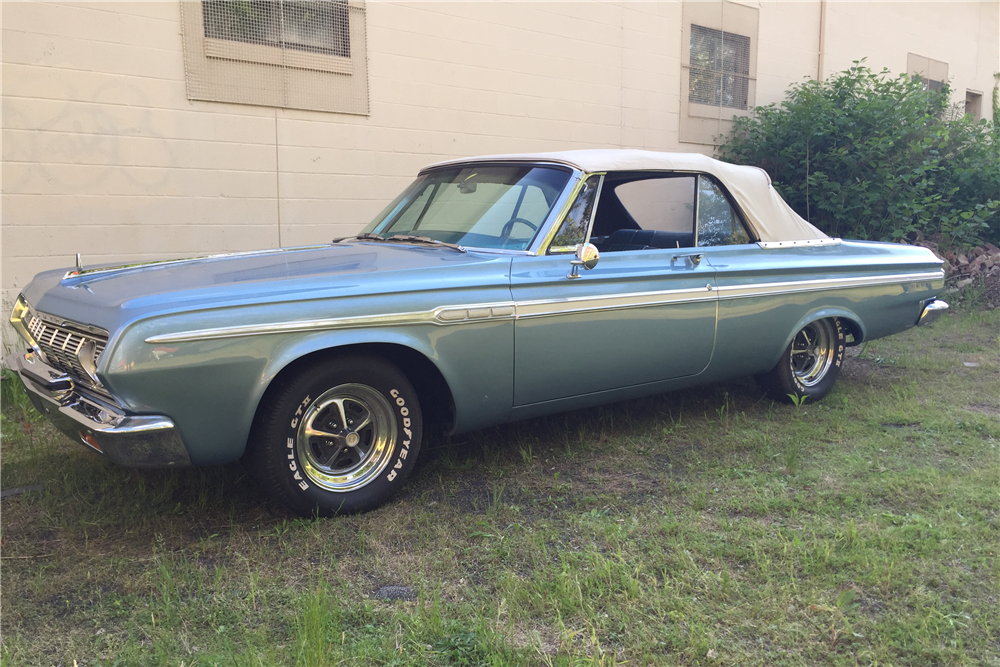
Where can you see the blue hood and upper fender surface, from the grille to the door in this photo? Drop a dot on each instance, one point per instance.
(110, 296)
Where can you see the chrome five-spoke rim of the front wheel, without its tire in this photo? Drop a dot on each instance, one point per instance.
(346, 437)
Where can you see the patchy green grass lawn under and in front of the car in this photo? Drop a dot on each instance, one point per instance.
(706, 527)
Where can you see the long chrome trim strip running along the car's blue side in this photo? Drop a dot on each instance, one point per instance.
(508, 310)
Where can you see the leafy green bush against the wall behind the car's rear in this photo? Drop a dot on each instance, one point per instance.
(873, 156)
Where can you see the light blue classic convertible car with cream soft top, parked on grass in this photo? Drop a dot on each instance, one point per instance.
(493, 289)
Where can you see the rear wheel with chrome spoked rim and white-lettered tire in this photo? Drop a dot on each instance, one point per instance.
(810, 364)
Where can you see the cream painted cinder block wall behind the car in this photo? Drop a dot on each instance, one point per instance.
(103, 154)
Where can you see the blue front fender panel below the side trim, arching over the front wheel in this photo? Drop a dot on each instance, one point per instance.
(211, 388)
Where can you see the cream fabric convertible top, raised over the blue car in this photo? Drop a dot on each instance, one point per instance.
(771, 218)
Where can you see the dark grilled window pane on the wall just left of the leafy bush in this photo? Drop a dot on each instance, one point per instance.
(720, 68)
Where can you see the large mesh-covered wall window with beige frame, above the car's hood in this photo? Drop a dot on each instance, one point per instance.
(297, 54)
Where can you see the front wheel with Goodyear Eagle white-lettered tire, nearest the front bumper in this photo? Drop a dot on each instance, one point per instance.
(339, 437)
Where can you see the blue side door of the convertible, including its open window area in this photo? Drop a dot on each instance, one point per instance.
(643, 314)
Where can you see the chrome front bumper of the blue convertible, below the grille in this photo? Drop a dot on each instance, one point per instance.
(137, 441)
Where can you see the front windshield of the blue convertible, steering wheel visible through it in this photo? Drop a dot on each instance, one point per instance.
(496, 206)
